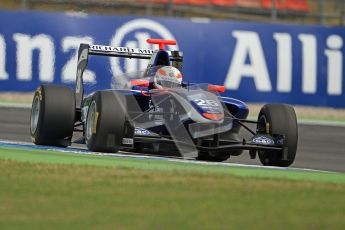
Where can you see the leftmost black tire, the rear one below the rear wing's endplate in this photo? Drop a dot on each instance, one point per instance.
(52, 115)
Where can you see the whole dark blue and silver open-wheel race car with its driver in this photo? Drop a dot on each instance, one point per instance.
(156, 112)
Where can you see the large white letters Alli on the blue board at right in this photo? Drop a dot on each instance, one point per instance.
(249, 44)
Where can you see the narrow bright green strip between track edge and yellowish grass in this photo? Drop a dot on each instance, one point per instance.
(54, 157)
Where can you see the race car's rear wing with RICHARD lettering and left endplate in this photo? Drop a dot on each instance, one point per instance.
(85, 50)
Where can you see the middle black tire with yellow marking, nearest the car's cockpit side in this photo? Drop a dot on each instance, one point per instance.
(105, 122)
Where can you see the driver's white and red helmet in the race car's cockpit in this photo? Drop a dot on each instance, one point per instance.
(167, 77)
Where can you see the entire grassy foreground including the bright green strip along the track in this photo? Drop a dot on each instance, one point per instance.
(58, 190)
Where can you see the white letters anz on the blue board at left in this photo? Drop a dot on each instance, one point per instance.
(46, 48)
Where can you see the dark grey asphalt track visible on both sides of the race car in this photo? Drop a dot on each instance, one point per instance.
(320, 147)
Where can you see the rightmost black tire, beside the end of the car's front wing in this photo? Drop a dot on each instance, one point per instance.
(282, 120)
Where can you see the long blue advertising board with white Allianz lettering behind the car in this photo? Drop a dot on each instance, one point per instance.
(256, 62)
